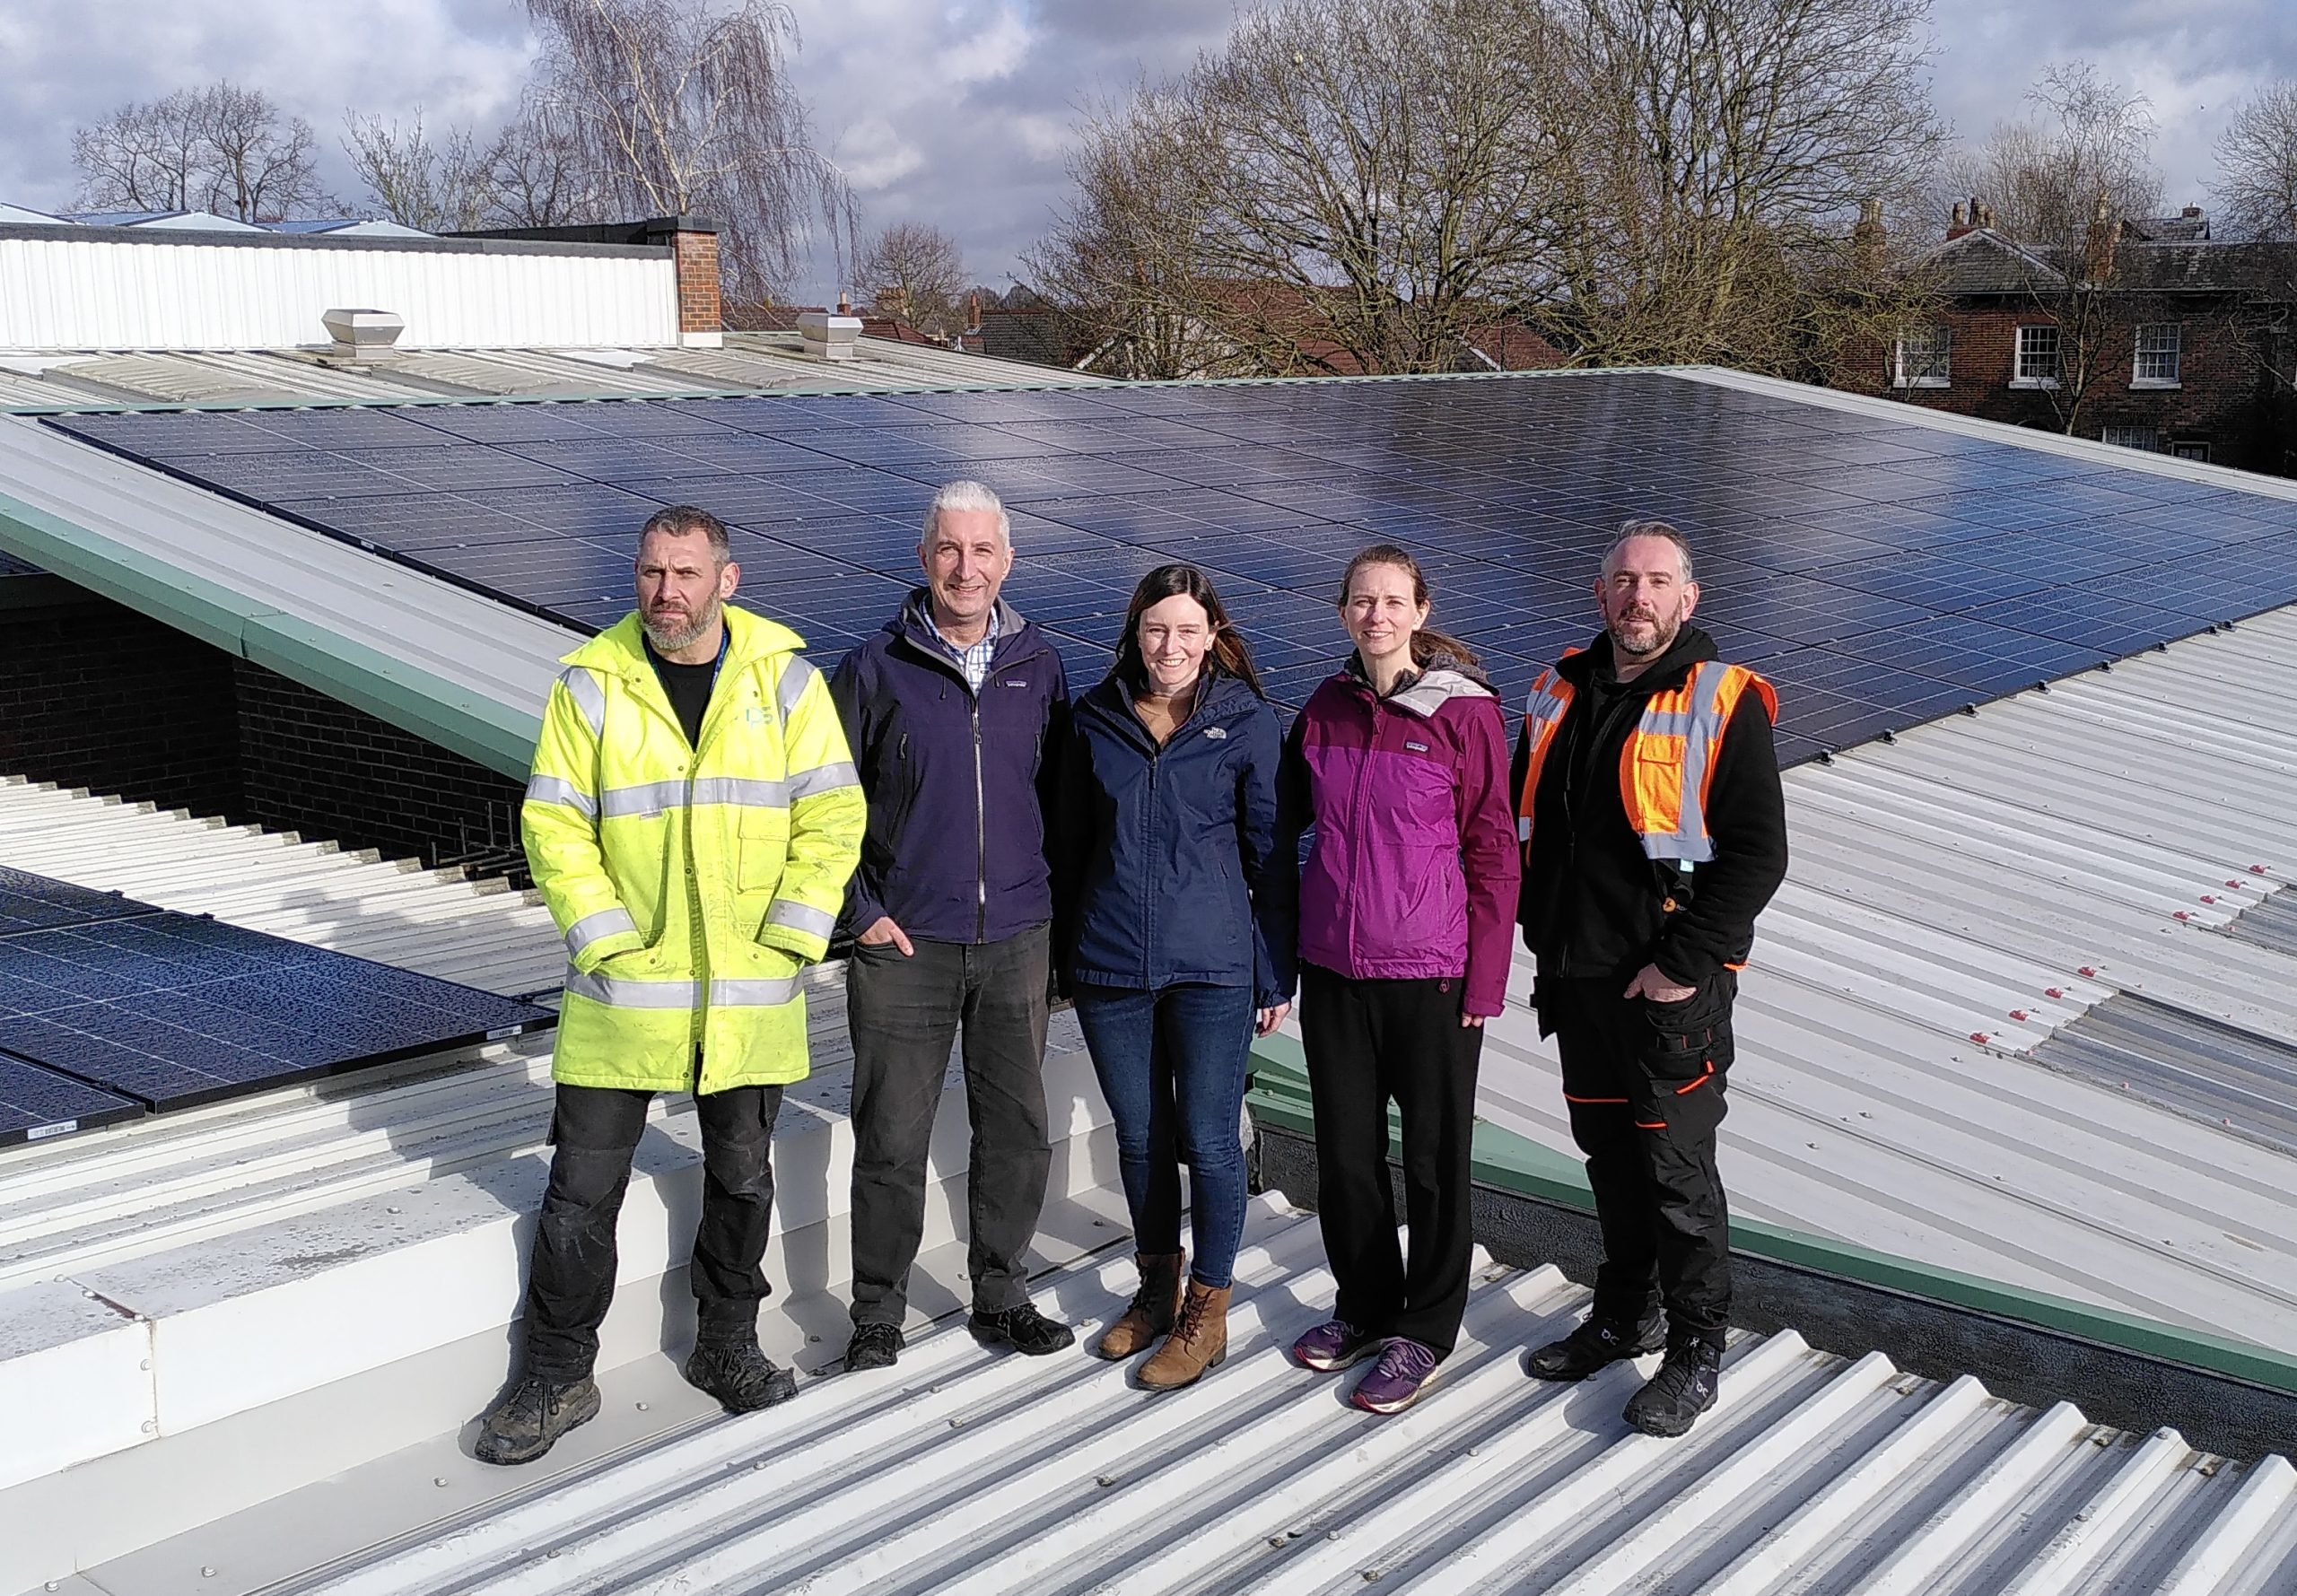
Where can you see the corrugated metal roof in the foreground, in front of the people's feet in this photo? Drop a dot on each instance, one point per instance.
(973, 1473)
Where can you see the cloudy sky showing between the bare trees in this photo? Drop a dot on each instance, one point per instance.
(959, 111)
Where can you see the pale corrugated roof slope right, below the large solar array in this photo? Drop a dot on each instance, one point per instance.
(1958, 899)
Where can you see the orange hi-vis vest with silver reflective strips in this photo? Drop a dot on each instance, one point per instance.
(1669, 761)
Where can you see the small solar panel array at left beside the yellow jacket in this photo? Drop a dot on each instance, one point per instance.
(111, 1009)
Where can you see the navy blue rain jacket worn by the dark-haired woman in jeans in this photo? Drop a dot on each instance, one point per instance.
(1163, 849)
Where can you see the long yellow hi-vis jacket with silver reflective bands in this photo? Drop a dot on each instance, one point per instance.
(693, 883)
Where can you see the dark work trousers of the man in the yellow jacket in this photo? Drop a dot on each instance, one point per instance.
(571, 1280)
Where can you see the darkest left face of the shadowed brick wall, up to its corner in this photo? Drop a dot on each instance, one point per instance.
(98, 697)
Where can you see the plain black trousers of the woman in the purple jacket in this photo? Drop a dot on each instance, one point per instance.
(1372, 1044)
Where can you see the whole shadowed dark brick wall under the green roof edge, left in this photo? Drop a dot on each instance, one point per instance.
(105, 699)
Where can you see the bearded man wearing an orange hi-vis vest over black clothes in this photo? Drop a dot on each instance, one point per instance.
(1653, 837)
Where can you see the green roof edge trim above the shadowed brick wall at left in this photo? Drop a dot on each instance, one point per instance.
(392, 690)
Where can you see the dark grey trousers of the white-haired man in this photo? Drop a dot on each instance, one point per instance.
(906, 1012)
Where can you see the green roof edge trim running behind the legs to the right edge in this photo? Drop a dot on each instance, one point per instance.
(1524, 1168)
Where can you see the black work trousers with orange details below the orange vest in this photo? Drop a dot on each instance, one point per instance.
(1646, 1092)
